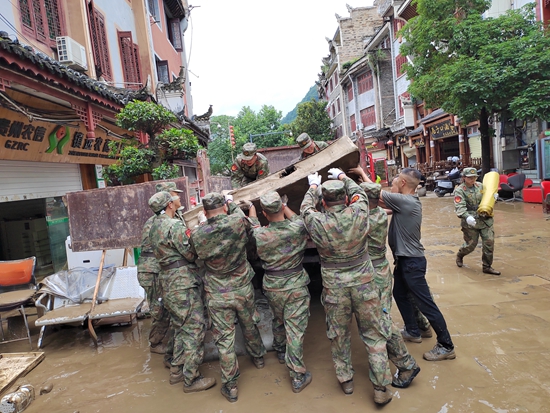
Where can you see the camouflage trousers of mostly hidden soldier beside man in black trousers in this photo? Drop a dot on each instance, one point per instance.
(397, 350)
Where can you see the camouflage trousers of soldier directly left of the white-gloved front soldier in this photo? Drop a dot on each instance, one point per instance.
(290, 316)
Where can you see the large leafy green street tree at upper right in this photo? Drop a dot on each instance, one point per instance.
(476, 67)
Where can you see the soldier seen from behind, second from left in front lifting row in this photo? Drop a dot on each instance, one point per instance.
(221, 243)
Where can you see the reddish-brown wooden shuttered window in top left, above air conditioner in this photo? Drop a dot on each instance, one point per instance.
(42, 19)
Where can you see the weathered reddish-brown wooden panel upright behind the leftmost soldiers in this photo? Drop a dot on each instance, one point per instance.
(112, 217)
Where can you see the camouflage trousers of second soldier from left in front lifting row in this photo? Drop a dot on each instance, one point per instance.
(223, 308)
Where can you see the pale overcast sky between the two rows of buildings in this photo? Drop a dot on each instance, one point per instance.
(254, 53)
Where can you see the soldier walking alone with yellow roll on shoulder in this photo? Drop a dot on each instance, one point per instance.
(467, 198)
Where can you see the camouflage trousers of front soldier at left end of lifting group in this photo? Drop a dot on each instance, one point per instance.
(188, 324)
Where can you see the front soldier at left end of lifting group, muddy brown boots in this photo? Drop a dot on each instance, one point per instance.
(179, 280)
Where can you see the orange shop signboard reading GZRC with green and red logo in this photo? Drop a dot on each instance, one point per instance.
(39, 141)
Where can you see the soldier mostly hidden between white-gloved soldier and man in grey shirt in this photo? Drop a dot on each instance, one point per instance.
(378, 232)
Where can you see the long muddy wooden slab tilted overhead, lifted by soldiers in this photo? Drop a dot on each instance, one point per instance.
(342, 154)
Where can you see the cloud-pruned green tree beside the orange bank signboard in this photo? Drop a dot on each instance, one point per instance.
(165, 144)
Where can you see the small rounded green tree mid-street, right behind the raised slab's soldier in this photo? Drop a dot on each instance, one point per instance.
(313, 119)
